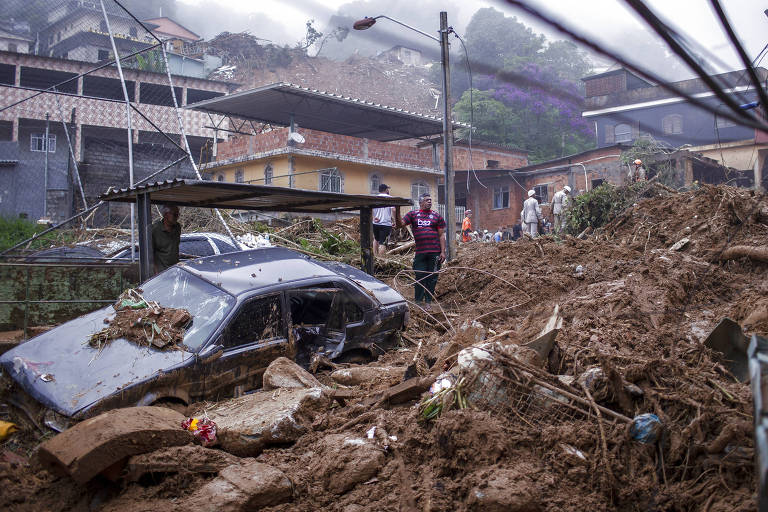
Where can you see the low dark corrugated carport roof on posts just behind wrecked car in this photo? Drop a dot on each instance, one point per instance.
(242, 196)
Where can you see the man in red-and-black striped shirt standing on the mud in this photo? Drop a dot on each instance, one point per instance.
(428, 229)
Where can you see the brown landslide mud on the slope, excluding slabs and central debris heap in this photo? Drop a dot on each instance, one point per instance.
(638, 310)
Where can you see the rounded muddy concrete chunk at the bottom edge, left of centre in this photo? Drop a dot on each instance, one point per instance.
(247, 486)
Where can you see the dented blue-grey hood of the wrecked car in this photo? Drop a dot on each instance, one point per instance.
(60, 370)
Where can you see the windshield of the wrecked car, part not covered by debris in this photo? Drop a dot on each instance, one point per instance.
(208, 305)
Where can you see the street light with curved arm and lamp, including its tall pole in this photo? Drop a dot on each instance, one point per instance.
(450, 198)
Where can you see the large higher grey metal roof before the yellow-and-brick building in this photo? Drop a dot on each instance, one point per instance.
(323, 111)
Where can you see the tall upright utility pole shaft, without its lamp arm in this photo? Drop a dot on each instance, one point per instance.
(450, 197)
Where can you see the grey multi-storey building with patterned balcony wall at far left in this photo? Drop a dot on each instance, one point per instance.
(91, 105)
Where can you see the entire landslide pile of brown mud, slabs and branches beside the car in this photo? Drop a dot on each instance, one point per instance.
(570, 375)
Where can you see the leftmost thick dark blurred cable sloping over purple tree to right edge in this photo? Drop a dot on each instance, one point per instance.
(741, 120)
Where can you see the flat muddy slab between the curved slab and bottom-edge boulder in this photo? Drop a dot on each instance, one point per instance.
(189, 458)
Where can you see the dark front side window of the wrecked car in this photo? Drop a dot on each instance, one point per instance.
(259, 320)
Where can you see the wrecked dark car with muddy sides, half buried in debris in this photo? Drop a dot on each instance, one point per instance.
(247, 309)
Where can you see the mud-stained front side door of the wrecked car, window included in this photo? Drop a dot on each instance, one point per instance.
(255, 336)
